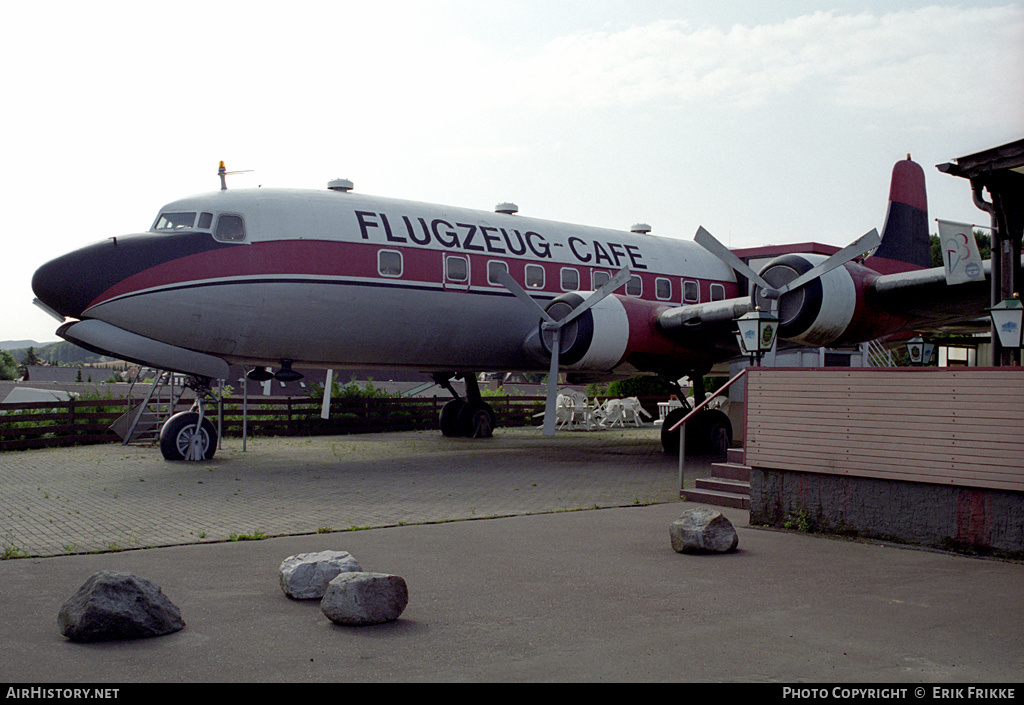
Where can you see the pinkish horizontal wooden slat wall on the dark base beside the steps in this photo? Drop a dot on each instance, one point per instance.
(960, 427)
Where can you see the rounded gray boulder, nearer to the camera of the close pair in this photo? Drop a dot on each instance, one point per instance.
(362, 599)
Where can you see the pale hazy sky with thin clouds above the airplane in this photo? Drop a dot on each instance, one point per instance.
(764, 122)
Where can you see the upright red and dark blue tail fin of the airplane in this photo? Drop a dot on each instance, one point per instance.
(906, 243)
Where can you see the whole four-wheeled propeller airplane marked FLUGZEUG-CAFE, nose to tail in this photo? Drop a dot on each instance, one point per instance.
(307, 279)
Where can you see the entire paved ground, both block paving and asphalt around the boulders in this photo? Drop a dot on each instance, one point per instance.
(594, 596)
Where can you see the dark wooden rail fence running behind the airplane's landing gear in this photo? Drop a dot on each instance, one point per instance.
(44, 425)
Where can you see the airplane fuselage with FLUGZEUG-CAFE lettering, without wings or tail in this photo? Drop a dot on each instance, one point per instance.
(335, 279)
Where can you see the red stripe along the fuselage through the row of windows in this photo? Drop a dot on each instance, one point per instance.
(320, 259)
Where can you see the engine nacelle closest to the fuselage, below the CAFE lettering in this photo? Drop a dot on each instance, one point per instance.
(618, 329)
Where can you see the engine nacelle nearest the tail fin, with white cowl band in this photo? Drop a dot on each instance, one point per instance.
(830, 310)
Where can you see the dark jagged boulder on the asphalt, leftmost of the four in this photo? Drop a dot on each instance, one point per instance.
(118, 606)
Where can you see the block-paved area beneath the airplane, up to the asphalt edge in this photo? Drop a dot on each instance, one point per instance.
(92, 499)
